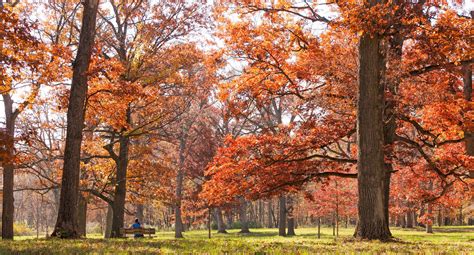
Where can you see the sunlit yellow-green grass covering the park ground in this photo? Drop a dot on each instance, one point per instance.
(452, 240)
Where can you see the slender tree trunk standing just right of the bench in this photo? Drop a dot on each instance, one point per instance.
(178, 229)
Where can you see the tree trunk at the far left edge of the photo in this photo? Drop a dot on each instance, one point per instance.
(8, 170)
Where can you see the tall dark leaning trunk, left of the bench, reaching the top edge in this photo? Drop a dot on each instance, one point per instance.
(66, 224)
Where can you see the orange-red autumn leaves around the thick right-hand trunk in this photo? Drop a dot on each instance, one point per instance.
(316, 74)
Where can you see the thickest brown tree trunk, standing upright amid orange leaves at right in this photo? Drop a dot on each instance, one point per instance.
(372, 177)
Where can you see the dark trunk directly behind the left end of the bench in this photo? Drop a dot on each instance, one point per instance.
(121, 184)
